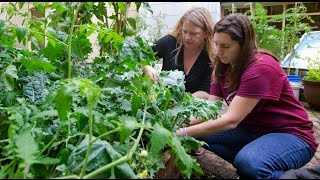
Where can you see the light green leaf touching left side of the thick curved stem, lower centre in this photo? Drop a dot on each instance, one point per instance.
(129, 124)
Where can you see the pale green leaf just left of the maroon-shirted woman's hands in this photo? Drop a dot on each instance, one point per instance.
(159, 138)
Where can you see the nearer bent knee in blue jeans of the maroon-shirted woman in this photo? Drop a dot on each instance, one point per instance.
(270, 155)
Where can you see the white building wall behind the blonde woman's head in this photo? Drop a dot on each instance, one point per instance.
(170, 12)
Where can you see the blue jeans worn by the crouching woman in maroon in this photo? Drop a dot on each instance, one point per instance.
(260, 157)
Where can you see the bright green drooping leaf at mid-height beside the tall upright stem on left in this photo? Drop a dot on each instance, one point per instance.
(63, 102)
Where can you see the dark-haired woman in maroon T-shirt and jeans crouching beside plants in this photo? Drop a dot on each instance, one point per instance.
(265, 130)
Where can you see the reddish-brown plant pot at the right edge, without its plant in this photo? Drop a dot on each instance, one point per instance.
(312, 93)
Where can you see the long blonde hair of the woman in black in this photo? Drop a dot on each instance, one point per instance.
(200, 17)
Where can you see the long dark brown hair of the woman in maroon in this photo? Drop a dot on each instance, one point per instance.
(240, 29)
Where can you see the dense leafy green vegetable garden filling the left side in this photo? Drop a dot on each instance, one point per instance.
(64, 118)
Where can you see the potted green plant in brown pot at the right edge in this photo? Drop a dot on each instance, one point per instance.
(311, 83)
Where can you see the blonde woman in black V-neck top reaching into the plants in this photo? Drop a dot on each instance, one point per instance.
(188, 48)
